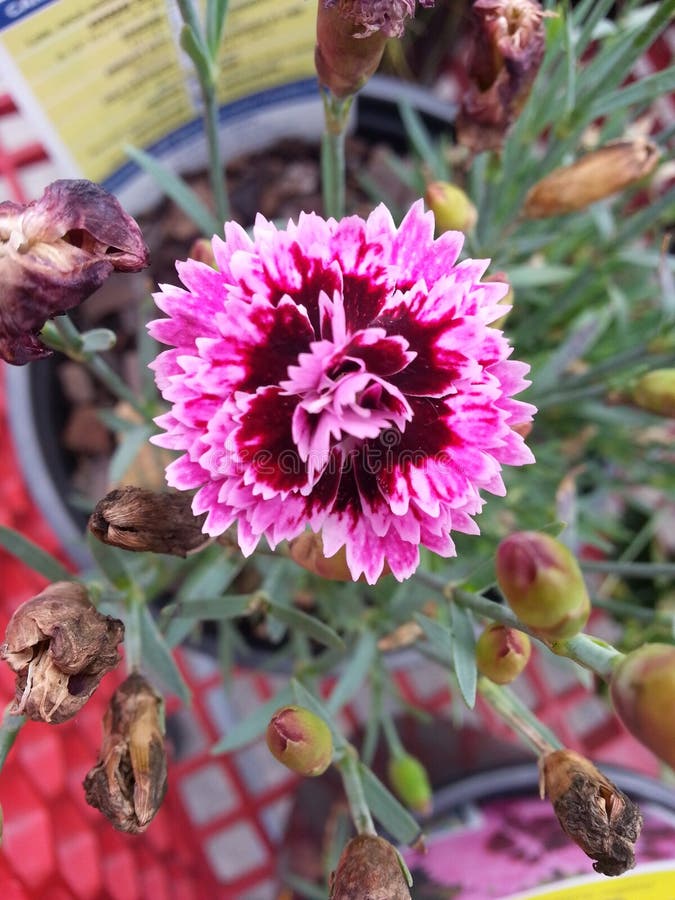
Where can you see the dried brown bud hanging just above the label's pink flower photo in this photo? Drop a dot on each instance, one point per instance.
(591, 810)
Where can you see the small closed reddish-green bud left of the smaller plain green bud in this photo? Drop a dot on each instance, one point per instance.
(300, 740)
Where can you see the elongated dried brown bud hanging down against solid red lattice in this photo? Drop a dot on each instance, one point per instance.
(128, 783)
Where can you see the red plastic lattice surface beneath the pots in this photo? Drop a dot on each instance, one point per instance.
(222, 823)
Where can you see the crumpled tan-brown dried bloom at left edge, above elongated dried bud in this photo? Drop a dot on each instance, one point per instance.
(60, 647)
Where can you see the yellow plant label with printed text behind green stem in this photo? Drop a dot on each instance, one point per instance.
(96, 75)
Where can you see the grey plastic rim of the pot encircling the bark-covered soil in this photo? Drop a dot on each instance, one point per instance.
(36, 403)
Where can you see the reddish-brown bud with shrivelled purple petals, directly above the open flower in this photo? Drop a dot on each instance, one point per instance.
(351, 36)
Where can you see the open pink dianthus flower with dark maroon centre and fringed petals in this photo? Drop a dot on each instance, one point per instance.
(341, 375)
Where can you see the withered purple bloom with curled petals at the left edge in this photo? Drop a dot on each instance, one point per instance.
(54, 253)
